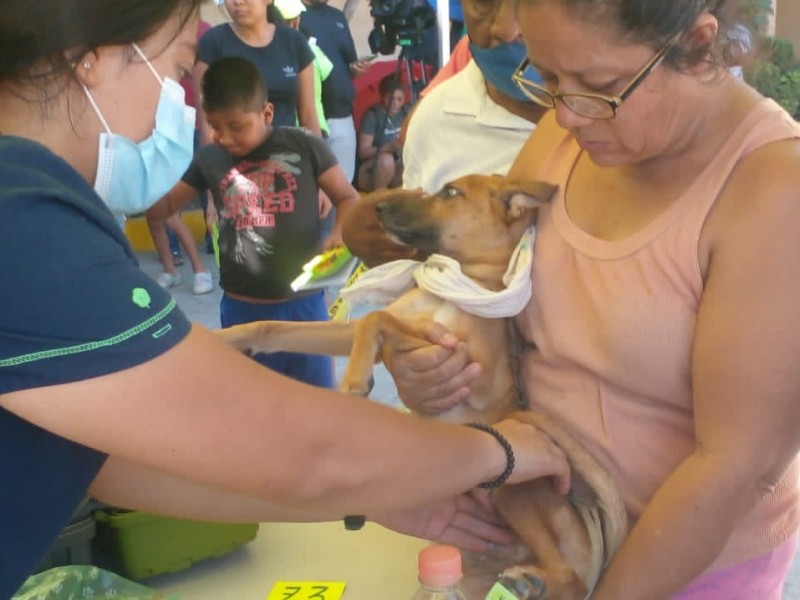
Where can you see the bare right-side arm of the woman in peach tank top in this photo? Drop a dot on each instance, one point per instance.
(745, 382)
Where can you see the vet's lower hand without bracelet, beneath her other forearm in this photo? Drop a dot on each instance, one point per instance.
(460, 521)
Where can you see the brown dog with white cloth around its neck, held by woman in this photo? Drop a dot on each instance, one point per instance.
(478, 221)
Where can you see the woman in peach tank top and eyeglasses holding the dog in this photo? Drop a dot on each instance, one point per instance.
(665, 321)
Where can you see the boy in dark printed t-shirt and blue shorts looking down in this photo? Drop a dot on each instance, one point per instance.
(264, 182)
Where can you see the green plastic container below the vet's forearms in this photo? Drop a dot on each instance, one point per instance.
(142, 545)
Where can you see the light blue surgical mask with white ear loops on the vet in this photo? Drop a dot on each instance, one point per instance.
(131, 177)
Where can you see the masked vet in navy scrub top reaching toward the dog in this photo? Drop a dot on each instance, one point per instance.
(90, 345)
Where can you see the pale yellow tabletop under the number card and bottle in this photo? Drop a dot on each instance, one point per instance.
(375, 563)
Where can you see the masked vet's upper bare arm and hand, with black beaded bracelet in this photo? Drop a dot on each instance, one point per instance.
(255, 433)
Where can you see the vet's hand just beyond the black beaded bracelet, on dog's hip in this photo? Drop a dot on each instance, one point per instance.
(536, 455)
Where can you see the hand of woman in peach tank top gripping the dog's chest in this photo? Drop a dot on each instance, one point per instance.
(434, 378)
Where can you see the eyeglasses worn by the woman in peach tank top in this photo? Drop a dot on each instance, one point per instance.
(592, 106)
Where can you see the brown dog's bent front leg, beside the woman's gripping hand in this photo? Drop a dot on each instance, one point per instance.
(376, 333)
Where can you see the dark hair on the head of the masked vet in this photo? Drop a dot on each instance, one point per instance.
(42, 39)
